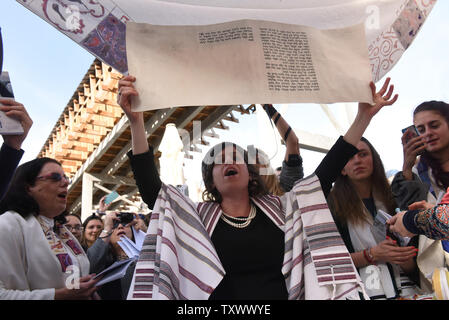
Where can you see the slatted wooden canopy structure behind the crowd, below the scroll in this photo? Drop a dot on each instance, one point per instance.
(92, 136)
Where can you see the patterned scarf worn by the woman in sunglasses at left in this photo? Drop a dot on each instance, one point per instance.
(56, 240)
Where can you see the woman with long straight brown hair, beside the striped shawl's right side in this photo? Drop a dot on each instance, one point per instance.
(360, 190)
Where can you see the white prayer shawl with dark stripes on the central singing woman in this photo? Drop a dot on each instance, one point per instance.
(178, 259)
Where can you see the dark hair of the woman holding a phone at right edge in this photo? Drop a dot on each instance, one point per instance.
(441, 177)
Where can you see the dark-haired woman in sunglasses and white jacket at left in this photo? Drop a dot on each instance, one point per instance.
(40, 258)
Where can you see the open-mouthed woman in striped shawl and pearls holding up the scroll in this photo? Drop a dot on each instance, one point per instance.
(241, 243)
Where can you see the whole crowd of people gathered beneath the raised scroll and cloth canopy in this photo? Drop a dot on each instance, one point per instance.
(258, 234)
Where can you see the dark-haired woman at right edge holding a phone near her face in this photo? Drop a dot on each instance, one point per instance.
(425, 176)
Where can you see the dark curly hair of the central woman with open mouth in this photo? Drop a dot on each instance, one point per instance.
(256, 186)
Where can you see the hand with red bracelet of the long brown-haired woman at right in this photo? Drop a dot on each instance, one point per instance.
(389, 251)
